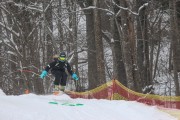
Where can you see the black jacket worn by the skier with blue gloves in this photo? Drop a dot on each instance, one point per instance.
(57, 65)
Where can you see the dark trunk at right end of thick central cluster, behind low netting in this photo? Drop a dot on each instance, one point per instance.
(143, 47)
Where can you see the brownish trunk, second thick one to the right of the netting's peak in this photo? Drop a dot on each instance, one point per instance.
(126, 46)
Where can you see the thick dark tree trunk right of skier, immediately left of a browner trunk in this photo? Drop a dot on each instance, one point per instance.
(90, 35)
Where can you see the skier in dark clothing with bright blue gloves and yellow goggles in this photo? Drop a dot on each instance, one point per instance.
(58, 67)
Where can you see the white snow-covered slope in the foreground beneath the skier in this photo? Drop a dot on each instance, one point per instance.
(37, 107)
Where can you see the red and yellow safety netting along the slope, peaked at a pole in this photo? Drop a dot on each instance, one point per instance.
(114, 90)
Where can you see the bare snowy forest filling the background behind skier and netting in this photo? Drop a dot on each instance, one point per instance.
(136, 42)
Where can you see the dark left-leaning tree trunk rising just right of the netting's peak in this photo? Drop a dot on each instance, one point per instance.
(119, 72)
